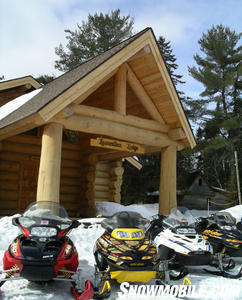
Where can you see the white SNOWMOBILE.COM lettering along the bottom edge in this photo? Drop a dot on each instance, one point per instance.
(132, 291)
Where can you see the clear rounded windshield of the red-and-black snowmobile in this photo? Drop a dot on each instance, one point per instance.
(45, 213)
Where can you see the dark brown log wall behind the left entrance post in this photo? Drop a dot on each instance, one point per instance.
(19, 166)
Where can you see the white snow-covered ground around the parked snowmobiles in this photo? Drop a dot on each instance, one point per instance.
(213, 287)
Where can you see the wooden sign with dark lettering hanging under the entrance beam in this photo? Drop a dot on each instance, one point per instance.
(117, 145)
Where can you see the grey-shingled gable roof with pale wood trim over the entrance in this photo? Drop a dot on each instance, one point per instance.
(65, 89)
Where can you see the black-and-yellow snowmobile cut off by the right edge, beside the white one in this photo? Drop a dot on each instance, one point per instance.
(223, 233)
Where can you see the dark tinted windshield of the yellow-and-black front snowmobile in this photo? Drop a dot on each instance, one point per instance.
(125, 219)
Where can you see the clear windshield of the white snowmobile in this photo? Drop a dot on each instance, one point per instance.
(180, 217)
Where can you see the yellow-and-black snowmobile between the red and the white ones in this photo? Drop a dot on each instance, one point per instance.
(124, 253)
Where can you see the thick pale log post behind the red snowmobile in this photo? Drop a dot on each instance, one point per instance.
(50, 163)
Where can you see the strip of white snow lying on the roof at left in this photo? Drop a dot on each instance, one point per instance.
(13, 105)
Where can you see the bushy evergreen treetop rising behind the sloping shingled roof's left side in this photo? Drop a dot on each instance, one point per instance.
(93, 37)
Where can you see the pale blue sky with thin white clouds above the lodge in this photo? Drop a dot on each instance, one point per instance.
(31, 29)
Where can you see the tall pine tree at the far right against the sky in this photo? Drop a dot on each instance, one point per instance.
(219, 70)
